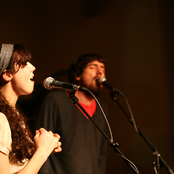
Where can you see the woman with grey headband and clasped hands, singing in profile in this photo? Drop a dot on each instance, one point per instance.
(18, 153)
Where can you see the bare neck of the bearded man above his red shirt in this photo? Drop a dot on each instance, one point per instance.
(84, 98)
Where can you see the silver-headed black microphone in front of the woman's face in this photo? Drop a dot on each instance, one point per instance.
(50, 83)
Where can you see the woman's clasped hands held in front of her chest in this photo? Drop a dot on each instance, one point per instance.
(46, 142)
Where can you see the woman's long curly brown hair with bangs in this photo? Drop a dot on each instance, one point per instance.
(22, 144)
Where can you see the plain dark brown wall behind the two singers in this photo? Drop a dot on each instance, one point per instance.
(136, 38)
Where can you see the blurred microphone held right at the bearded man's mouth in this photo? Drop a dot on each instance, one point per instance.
(102, 80)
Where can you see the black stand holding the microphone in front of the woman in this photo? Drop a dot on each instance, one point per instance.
(115, 146)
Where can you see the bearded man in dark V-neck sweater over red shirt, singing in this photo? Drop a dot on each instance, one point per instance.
(84, 148)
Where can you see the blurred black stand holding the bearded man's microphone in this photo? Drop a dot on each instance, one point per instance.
(162, 162)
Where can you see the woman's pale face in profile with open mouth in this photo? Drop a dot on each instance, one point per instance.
(22, 81)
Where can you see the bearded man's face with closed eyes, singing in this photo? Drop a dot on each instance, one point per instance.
(89, 76)
